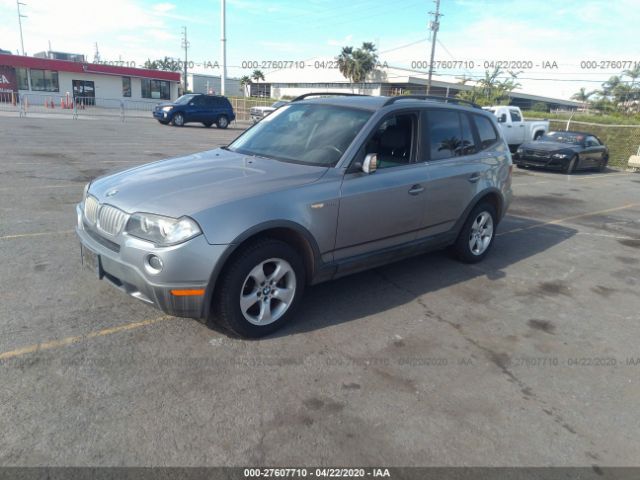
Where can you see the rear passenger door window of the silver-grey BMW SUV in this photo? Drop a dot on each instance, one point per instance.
(449, 134)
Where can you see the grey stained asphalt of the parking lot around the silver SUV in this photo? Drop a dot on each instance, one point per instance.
(529, 358)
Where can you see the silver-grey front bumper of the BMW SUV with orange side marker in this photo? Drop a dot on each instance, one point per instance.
(122, 261)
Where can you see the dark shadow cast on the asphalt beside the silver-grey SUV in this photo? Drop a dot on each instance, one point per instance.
(387, 287)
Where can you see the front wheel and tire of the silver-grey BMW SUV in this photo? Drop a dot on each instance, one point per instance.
(260, 289)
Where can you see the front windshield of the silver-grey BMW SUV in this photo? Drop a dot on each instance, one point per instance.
(311, 134)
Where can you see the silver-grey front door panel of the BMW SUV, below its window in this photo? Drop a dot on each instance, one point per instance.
(378, 210)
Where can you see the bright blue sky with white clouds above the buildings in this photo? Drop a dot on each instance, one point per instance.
(562, 31)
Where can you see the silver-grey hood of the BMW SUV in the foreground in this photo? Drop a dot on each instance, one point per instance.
(192, 184)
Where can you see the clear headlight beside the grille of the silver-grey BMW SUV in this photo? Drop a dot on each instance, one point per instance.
(162, 231)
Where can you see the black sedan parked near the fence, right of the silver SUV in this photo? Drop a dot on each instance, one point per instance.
(566, 151)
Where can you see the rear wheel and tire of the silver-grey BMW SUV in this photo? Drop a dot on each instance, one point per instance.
(477, 234)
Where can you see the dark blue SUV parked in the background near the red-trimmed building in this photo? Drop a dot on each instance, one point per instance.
(191, 108)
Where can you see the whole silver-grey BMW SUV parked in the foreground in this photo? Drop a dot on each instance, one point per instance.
(321, 188)
